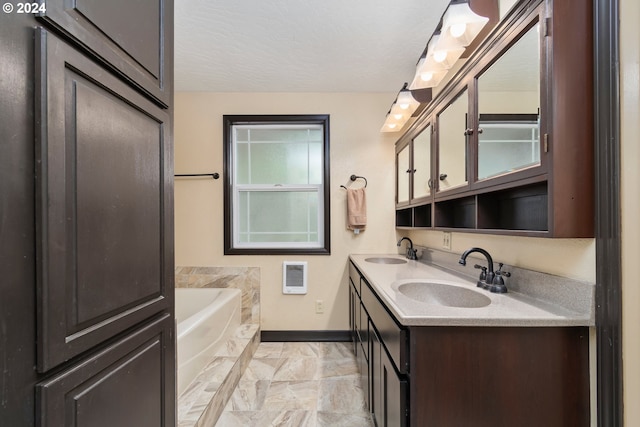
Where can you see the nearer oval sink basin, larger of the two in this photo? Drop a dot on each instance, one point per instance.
(443, 294)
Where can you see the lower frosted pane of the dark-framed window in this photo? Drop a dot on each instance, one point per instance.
(278, 216)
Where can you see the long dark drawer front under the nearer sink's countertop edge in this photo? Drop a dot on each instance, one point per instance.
(394, 337)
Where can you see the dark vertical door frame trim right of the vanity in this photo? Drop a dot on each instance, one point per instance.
(608, 221)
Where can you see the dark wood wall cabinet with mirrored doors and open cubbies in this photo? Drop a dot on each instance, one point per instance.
(513, 140)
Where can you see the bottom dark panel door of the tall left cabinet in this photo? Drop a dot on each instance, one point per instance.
(129, 383)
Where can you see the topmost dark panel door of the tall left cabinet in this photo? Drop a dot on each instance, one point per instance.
(134, 38)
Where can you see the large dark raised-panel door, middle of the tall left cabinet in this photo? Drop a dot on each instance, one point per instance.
(104, 204)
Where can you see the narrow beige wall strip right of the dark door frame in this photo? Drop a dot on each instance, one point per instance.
(630, 158)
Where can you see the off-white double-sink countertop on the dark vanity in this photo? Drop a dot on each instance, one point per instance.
(510, 309)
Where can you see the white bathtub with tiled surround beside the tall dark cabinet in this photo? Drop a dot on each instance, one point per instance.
(206, 318)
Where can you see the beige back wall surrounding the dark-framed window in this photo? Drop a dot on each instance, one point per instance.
(357, 147)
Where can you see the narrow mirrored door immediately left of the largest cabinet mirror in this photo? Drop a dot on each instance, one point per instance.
(452, 143)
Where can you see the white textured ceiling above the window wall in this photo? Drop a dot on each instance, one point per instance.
(300, 45)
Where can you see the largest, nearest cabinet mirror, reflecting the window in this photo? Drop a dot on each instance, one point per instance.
(509, 109)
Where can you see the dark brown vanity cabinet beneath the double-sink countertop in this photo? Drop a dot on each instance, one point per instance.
(459, 376)
